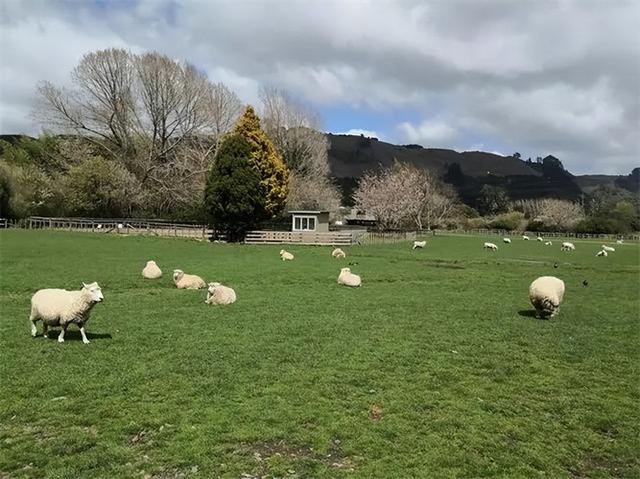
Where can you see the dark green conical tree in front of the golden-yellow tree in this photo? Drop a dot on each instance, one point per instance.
(235, 198)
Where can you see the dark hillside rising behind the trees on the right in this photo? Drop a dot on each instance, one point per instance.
(351, 156)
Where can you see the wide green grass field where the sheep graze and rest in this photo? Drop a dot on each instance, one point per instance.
(435, 368)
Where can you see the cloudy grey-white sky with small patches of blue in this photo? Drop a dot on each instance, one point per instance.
(538, 77)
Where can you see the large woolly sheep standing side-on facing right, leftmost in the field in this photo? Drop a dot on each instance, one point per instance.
(59, 307)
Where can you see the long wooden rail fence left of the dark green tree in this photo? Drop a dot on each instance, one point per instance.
(127, 226)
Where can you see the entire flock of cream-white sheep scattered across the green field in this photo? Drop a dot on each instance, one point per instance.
(60, 308)
